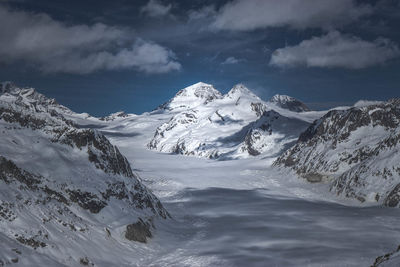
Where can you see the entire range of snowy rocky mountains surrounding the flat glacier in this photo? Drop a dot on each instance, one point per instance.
(63, 182)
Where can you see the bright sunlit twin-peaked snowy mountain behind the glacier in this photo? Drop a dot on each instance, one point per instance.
(235, 125)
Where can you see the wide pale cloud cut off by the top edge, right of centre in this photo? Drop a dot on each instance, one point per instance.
(246, 15)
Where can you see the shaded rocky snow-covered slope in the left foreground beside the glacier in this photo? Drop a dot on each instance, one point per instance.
(67, 194)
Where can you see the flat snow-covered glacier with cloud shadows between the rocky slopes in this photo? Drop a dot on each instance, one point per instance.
(246, 213)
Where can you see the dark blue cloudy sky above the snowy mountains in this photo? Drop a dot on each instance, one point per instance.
(104, 56)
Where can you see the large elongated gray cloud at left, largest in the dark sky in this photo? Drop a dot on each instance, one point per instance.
(51, 46)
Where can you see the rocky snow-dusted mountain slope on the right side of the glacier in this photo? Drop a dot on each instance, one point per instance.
(356, 149)
